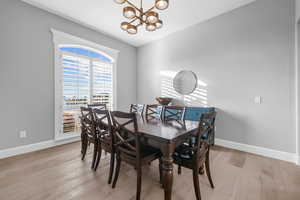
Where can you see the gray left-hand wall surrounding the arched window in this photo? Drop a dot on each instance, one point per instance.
(27, 71)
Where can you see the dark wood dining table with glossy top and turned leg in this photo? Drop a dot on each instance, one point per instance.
(166, 136)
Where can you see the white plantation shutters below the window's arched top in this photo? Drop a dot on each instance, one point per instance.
(85, 81)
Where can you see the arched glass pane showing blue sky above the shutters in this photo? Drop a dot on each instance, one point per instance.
(86, 52)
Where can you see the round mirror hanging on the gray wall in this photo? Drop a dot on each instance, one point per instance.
(185, 82)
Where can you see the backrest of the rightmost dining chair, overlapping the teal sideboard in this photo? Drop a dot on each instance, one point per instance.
(206, 126)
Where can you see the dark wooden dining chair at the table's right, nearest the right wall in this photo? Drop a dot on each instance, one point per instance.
(197, 155)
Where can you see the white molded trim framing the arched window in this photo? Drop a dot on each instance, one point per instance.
(60, 39)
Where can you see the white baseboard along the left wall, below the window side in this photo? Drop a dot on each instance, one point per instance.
(35, 147)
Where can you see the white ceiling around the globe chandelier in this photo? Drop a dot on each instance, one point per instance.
(106, 16)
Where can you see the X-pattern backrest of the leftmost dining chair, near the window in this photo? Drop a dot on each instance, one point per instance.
(88, 122)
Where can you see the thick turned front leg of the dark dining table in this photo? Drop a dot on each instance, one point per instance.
(167, 169)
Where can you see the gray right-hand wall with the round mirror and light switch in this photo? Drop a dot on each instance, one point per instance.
(242, 54)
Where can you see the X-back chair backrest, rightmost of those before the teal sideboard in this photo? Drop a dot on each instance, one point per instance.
(173, 113)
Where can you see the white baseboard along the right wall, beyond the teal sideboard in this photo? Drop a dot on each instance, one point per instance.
(280, 155)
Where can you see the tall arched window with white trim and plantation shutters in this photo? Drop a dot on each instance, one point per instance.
(83, 75)
